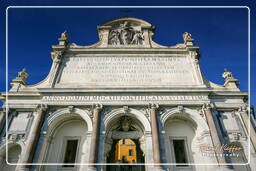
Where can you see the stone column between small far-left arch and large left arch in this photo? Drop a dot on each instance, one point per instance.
(33, 137)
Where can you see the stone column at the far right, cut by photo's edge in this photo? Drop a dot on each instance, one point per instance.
(248, 126)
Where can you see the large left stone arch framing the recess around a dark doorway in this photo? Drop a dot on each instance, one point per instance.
(56, 122)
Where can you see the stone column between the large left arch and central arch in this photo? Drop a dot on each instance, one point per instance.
(95, 136)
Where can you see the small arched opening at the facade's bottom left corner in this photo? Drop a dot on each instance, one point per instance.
(14, 152)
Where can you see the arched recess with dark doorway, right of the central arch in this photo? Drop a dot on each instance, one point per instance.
(179, 136)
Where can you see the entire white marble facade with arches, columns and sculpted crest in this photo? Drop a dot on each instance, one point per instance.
(159, 89)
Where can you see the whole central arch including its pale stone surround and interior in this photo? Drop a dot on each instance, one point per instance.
(125, 126)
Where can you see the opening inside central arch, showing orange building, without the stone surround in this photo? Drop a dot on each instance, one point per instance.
(124, 142)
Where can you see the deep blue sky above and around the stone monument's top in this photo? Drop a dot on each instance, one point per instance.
(221, 33)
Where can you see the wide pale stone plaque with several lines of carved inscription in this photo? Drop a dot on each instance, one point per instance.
(127, 71)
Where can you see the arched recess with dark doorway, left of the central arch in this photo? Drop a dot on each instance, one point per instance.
(68, 144)
